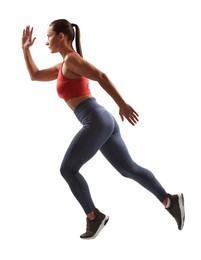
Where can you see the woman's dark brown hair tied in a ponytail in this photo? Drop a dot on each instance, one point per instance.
(67, 28)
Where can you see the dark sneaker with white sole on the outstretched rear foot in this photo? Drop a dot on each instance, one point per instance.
(176, 209)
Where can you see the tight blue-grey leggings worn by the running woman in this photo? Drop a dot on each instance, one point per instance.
(100, 131)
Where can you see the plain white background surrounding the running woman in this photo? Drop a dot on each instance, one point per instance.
(151, 50)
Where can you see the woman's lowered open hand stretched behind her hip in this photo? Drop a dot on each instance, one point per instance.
(129, 113)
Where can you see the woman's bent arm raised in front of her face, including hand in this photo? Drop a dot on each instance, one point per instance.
(36, 74)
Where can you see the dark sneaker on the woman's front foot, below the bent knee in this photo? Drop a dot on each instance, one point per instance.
(95, 225)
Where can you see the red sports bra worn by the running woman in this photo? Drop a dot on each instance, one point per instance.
(71, 88)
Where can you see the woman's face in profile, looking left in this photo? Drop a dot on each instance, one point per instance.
(53, 40)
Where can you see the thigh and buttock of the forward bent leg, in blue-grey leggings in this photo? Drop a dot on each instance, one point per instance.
(95, 132)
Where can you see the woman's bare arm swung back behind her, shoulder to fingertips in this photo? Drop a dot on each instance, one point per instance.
(80, 66)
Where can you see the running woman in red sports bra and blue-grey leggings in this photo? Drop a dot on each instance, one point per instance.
(100, 130)
